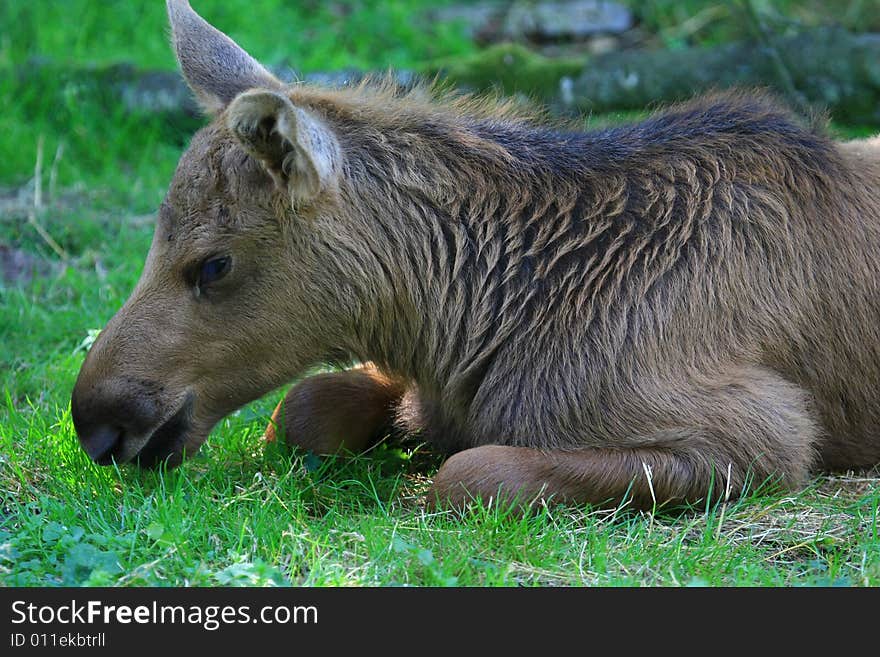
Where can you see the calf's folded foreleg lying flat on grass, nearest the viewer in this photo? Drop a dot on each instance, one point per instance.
(743, 428)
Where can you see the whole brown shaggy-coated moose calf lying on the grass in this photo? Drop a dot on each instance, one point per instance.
(661, 312)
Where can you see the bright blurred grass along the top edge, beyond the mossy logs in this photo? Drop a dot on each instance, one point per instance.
(307, 34)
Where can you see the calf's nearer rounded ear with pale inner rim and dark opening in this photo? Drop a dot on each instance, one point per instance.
(298, 150)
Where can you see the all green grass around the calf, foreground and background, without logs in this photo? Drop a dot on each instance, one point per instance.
(243, 512)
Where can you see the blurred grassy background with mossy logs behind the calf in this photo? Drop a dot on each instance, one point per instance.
(95, 115)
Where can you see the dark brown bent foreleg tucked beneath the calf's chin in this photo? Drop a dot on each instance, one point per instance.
(329, 413)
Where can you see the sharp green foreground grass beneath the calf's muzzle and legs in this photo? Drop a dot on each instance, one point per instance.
(242, 513)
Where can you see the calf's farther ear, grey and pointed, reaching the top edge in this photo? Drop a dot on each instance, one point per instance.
(216, 68)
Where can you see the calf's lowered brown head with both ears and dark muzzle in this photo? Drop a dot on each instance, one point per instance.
(229, 273)
